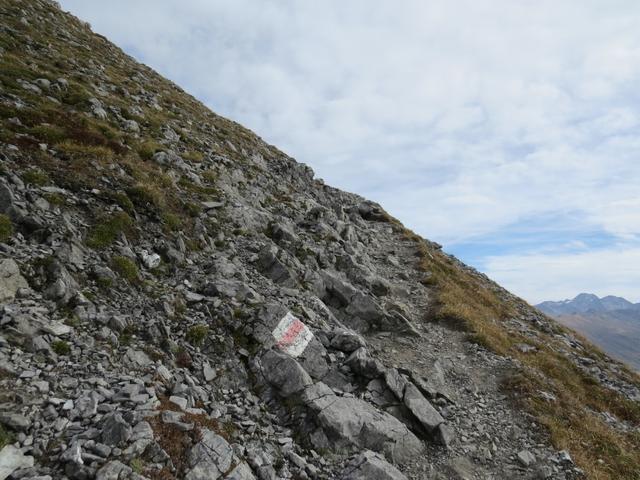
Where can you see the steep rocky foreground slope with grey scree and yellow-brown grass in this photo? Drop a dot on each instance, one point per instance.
(182, 300)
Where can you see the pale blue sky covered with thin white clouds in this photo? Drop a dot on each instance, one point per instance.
(506, 131)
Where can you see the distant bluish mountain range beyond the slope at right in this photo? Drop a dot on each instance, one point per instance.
(611, 322)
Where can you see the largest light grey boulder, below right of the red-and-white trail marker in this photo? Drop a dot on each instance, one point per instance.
(351, 422)
